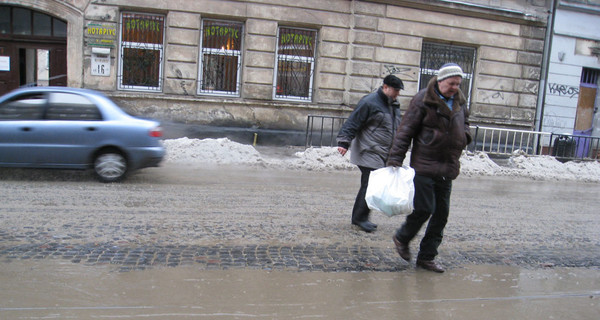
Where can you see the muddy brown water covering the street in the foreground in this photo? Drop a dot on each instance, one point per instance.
(57, 289)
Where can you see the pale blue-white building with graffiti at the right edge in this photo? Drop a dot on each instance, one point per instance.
(572, 97)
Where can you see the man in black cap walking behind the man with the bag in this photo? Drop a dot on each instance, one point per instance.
(369, 133)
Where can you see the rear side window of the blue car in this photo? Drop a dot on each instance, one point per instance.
(70, 106)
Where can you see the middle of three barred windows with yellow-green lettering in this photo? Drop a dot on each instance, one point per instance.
(220, 57)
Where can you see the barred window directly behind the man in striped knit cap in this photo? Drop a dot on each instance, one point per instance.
(435, 55)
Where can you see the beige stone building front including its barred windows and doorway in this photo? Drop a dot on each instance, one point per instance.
(268, 64)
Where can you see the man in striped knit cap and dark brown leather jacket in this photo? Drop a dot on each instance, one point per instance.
(437, 124)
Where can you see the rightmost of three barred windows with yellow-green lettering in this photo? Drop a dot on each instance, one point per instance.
(295, 64)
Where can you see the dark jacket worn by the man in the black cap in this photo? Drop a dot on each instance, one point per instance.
(369, 131)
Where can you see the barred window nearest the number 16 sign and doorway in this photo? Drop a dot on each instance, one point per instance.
(141, 51)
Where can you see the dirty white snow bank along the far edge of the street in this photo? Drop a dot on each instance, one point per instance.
(224, 151)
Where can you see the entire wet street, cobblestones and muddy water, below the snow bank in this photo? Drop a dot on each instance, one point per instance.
(237, 243)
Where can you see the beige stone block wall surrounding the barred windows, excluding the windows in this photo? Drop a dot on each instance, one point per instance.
(359, 42)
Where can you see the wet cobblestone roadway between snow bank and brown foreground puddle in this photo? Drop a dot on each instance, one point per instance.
(262, 219)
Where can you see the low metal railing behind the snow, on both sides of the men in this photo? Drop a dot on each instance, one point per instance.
(321, 131)
